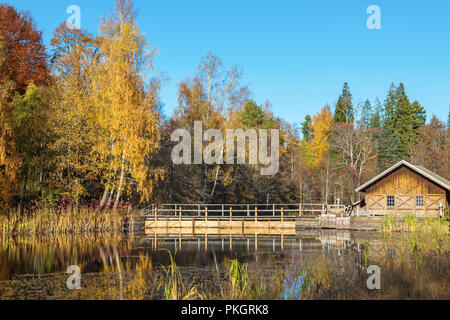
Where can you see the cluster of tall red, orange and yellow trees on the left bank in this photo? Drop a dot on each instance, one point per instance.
(96, 121)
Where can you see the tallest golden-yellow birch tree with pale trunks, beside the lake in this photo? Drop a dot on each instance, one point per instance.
(125, 107)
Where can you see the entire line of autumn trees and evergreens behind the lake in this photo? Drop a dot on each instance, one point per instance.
(82, 121)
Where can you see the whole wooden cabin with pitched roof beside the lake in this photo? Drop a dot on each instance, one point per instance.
(402, 190)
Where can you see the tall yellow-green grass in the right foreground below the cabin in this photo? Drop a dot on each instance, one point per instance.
(414, 264)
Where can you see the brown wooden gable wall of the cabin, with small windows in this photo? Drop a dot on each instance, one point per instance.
(406, 190)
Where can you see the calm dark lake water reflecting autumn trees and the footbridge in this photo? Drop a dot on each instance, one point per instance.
(24, 262)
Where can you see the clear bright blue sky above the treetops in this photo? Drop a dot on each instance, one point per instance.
(297, 54)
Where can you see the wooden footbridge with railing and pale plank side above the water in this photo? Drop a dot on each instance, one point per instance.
(228, 219)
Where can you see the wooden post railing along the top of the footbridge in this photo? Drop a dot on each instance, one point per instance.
(244, 210)
